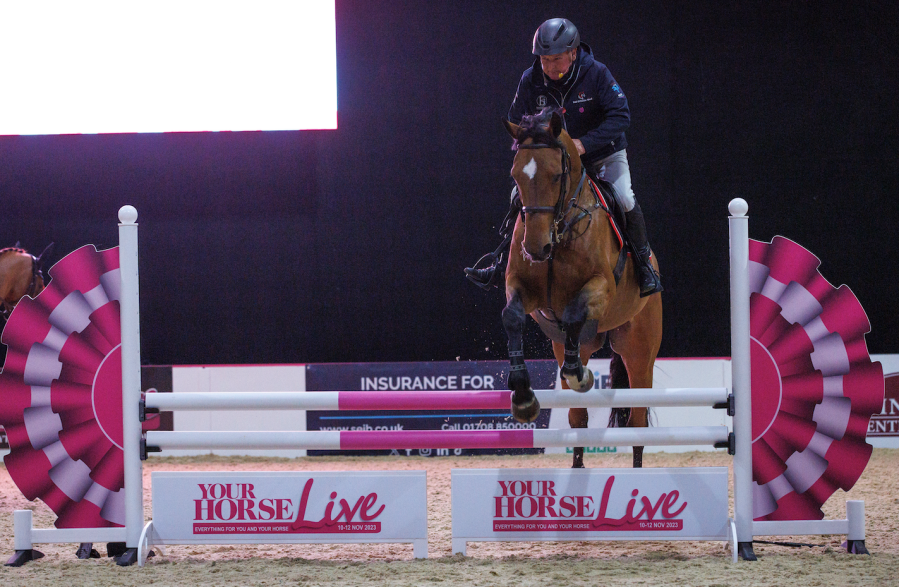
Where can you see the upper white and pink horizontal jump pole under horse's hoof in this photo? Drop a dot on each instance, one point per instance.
(433, 400)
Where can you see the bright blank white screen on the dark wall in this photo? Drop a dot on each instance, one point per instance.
(100, 66)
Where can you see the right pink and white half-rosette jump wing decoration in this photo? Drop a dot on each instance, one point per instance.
(814, 387)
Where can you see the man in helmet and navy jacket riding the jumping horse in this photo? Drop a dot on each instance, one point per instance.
(595, 114)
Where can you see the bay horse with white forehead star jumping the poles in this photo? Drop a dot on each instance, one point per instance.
(562, 272)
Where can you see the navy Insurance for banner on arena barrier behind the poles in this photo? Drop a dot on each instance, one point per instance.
(434, 376)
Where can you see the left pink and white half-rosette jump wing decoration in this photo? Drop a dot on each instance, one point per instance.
(61, 392)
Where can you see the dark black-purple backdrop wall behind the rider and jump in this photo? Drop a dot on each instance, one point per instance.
(349, 245)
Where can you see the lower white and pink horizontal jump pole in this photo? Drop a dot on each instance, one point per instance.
(413, 439)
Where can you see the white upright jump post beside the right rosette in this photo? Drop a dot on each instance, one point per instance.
(740, 373)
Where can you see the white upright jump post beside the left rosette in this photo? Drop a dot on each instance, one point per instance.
(130, 318)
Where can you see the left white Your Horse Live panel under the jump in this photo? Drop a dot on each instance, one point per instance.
(286, 507)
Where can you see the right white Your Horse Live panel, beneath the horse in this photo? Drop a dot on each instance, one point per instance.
(589, 504)
